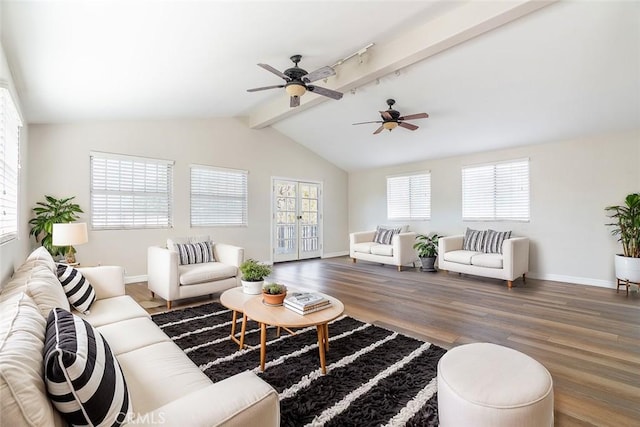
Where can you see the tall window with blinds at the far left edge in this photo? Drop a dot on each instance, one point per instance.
(10, 125)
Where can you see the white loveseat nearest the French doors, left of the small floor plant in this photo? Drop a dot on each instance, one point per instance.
(400, 252)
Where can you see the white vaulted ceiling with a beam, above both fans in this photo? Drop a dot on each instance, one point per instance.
(490, 74)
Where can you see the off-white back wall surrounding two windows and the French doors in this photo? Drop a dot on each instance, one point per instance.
(59, 165)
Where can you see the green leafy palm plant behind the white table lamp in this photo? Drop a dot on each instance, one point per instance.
(52, 211)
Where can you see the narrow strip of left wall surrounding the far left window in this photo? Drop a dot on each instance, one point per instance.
(13, 253)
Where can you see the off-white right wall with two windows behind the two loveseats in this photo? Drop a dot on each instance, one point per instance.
(571, 183)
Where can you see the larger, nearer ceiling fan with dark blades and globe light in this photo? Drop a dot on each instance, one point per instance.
(297, 80)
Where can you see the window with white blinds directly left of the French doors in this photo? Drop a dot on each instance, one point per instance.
(218, 197)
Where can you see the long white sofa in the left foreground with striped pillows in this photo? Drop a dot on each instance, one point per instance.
(164, 384)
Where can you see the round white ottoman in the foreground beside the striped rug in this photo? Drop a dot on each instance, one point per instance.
(486, 384)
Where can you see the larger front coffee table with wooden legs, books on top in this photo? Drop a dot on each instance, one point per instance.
(283, 317)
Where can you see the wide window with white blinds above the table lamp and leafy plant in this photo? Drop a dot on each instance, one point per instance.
(130, 192)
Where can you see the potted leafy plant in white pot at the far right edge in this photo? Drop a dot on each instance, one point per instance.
(626, 225)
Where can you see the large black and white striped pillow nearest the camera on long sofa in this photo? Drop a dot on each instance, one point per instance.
(83, 378)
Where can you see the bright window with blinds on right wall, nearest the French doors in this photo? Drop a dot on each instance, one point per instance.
(409, 197)
